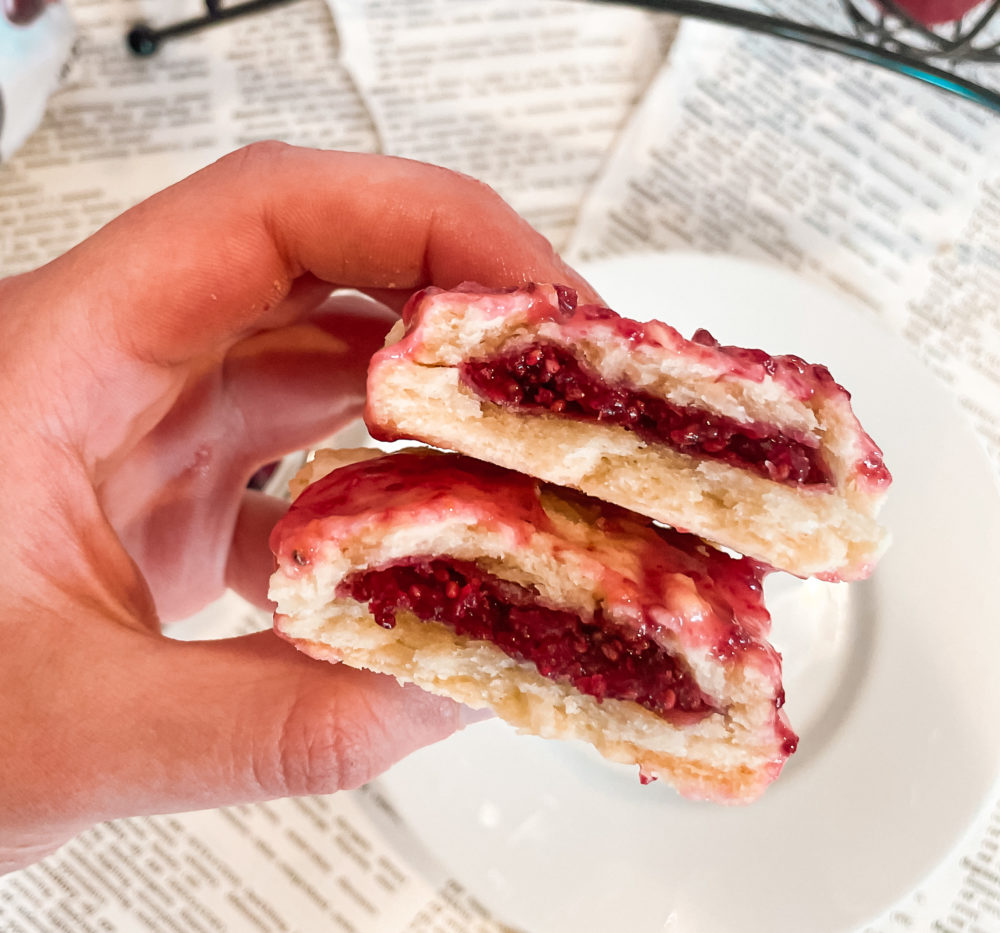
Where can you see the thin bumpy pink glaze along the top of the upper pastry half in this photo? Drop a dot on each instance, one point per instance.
(540, 304)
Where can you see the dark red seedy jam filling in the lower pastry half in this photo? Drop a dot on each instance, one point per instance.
(561, 645)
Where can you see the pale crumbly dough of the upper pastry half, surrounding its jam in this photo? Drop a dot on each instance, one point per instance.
(415, 391)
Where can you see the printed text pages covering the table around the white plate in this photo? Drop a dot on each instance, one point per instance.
(733, 143)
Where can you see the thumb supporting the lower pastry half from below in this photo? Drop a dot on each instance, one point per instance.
(283, 724)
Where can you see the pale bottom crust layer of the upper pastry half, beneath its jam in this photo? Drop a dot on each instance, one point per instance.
(828, 534)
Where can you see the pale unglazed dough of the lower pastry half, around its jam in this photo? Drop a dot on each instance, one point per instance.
(728, 756)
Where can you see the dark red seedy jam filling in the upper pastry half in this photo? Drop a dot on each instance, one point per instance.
(546, 377)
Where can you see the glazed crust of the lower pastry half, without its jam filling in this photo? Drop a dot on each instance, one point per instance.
(577, 555)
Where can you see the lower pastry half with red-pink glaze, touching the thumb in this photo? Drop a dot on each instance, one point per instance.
(569, 617)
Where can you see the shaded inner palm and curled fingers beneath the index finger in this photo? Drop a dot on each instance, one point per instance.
(176, 495)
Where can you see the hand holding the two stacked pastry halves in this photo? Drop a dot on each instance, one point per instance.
(146, 375)
